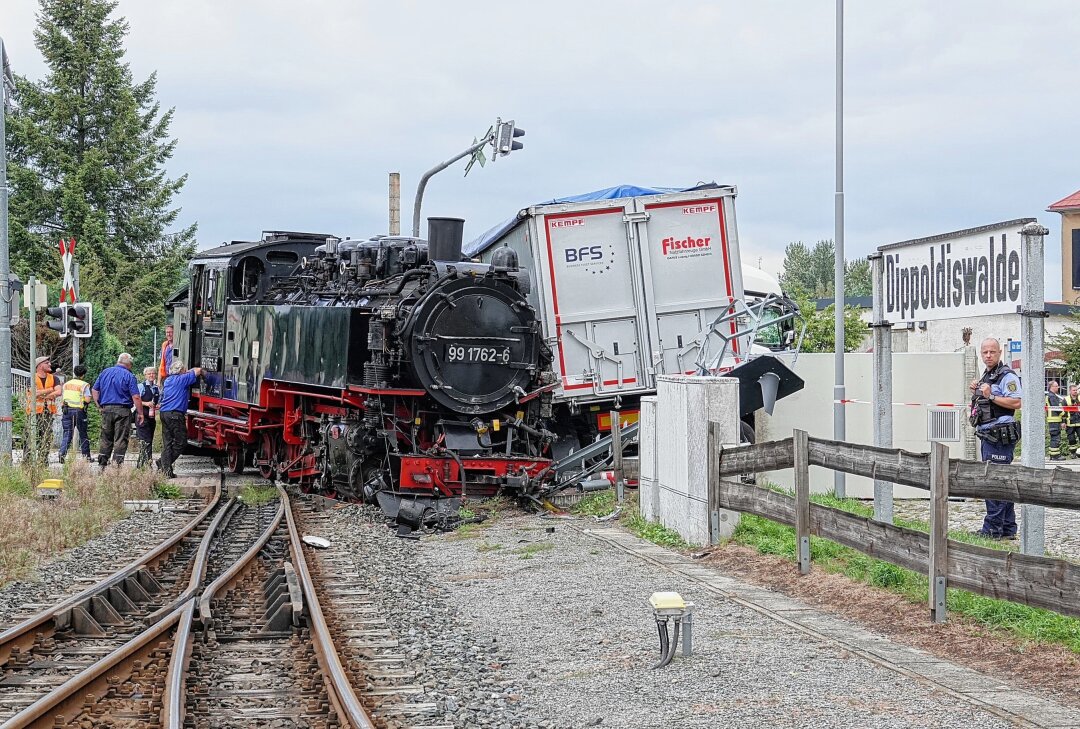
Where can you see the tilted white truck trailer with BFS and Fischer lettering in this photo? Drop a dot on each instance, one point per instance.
(630, 283)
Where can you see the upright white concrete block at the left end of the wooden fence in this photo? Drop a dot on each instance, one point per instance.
(674, 488)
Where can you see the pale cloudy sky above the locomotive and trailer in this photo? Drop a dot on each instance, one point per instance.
(290, 117)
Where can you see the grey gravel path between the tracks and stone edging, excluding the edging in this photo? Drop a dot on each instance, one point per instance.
(570, 615)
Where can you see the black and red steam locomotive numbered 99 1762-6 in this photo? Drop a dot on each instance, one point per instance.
(369, 370)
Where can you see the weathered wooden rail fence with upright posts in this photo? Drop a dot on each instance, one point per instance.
(1020, 578)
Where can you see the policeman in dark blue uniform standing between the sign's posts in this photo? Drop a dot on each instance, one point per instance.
(995, 400)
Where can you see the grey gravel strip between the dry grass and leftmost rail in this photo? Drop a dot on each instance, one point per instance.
(79, 568)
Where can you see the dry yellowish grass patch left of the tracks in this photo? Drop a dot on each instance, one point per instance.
(33, 531)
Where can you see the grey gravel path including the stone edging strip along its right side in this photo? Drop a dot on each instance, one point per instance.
(572, 607)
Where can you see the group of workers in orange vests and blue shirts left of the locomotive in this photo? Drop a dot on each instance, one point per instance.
(120, 398)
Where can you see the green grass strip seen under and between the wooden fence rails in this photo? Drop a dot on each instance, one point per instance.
(1029, 624)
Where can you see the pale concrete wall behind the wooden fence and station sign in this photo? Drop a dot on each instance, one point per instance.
(923, 379)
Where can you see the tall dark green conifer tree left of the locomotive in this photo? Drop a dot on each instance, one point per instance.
(88, 150)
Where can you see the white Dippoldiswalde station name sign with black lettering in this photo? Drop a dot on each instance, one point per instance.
(965, 274)
